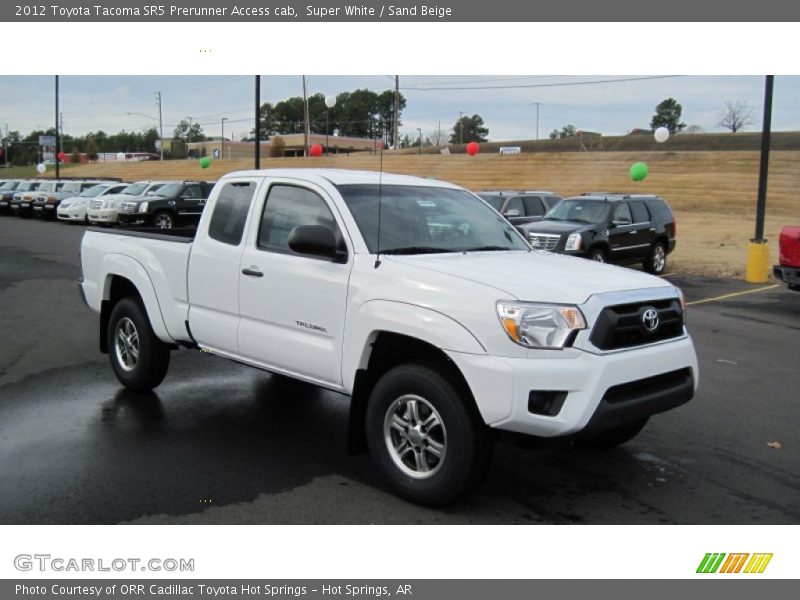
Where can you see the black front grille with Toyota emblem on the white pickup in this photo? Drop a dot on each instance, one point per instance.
(626, 325)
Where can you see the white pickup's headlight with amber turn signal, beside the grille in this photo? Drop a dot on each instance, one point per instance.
(540, 325)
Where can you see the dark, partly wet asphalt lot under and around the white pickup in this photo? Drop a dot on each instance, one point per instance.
(222, 443)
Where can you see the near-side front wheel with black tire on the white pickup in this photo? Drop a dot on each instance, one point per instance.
(465, 442)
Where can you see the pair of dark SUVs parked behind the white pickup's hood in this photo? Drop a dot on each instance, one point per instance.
(602, 226)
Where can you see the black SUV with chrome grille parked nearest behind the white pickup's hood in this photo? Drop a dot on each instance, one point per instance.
(616, 228)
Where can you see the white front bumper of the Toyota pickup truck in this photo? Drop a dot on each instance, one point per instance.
(503, 387)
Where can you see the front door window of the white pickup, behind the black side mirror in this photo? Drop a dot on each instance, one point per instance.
(288, 207)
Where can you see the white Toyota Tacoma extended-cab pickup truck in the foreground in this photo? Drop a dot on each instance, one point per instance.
(414, 297)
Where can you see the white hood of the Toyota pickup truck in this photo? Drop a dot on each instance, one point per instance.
(534, 276)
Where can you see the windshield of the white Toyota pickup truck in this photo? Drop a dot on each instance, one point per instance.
(421, 219)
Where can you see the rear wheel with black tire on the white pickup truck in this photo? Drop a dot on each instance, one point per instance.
(147, 368)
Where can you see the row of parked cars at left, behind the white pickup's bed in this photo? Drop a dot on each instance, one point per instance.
(162, 204)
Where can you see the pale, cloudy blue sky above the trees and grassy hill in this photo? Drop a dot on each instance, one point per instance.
(507, 104)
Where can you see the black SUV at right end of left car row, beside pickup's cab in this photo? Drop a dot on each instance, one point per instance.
(173, 204)
